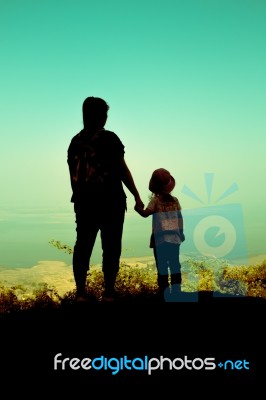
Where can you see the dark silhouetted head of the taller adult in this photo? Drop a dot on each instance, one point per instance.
(94, 111)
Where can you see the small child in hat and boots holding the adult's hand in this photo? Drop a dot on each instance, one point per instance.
(167, 231)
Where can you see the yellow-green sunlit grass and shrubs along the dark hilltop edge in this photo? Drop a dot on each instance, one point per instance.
(140, 283)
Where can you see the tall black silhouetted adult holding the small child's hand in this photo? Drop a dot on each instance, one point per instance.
(98, 171)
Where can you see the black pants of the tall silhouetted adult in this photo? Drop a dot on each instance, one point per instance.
(89, 221)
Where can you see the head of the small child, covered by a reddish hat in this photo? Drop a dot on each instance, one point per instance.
(161, 182)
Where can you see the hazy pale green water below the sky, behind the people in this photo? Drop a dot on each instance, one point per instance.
(25, 235)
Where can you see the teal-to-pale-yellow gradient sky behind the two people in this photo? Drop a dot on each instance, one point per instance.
(185, 81)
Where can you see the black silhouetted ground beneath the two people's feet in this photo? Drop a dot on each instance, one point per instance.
(224, 328)
